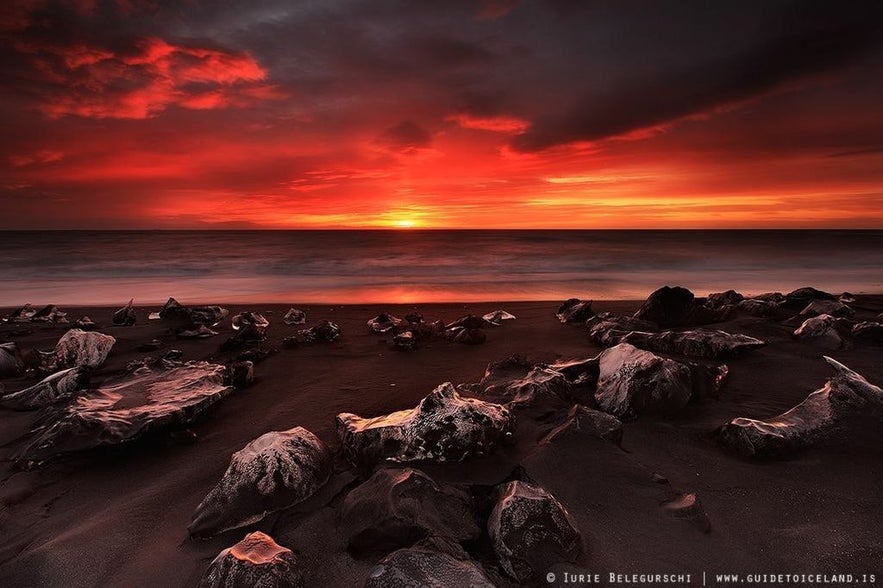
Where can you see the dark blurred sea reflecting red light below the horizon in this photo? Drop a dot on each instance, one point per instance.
(410, 266)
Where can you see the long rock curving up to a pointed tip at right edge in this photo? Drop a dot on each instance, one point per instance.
(845, 397)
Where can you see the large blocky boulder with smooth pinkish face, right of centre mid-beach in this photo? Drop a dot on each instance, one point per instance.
(632, 381)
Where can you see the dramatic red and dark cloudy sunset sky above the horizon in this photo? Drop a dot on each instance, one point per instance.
(455, 113)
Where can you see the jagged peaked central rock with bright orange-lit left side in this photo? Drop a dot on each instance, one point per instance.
(442, 427)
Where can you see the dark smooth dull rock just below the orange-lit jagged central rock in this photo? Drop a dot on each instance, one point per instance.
(397, 507)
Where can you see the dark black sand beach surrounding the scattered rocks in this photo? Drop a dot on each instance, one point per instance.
(120, 518)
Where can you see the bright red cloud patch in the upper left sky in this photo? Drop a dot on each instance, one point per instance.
(98, 83)
